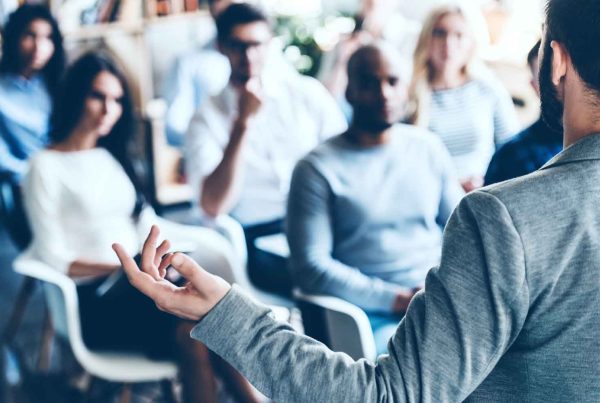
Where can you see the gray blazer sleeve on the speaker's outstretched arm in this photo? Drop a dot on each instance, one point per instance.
(455, 331)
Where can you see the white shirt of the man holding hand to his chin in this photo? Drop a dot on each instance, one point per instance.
(297, 114)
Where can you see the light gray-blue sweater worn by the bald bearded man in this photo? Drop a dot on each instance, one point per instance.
(365, 222)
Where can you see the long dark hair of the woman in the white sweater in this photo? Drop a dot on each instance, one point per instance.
(70, 107)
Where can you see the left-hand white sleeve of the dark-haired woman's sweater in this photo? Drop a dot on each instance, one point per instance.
(41, 196)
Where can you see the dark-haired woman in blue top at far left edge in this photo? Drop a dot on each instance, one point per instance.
(31, 65)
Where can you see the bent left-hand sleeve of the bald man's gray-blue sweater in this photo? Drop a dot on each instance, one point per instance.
(309, 232)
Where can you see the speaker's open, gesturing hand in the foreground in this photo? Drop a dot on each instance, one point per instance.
(193, 301)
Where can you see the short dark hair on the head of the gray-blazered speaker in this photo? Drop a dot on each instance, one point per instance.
(576, 25)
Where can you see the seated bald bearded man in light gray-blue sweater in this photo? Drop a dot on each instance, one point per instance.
(367, 208)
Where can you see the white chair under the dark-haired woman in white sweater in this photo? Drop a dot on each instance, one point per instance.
(61, 298)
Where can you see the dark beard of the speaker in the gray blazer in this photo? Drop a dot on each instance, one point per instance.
(552, 106)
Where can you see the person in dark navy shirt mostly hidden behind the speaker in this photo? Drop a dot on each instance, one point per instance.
(531, 148)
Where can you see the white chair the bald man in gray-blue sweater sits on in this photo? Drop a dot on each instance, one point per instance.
(347, 328)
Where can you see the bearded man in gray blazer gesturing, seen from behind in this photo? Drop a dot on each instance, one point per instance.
(511, 313)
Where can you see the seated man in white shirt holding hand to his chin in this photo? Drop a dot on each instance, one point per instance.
(242, 144)
